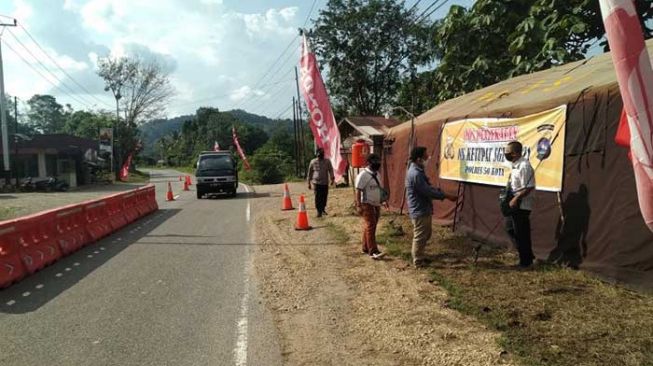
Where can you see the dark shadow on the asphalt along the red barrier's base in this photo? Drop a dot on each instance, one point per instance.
(42, 287)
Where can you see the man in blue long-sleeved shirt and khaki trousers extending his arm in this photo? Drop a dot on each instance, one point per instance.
(420, 194)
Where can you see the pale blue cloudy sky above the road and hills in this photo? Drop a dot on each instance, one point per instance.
(226, 54)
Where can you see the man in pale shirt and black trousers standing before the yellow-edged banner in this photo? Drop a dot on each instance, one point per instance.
(521, 183)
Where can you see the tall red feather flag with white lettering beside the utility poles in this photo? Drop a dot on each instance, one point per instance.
(322, 123)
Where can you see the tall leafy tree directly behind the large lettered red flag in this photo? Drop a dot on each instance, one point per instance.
(368, 46)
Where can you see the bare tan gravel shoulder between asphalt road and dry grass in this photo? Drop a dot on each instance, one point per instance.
(336, 306)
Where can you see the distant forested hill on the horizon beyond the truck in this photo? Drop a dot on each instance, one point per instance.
(153, 130)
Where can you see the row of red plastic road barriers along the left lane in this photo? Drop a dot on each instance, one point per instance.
(30, 243)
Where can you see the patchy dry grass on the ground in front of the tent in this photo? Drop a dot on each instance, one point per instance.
(549, 316)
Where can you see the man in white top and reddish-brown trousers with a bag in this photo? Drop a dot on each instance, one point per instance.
(370, 195)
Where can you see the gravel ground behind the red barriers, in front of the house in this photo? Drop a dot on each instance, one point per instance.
(14, 205)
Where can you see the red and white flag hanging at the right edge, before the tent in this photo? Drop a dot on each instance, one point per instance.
(635, 76)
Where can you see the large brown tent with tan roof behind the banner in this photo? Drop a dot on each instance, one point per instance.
(603, 230)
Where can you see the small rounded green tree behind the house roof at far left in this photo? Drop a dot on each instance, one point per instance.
(44, 114)
